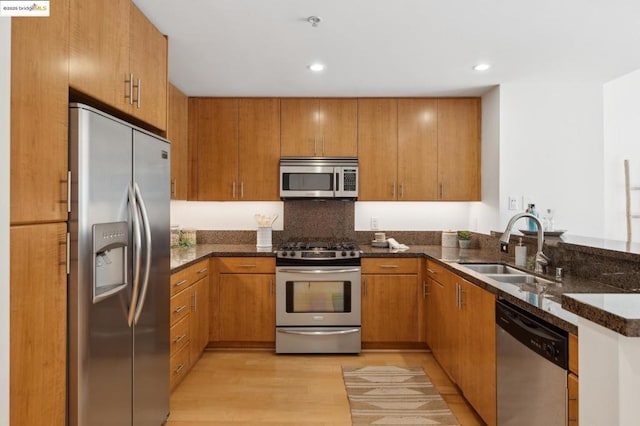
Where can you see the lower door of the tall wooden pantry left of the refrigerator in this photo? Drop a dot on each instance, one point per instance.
(38, 324)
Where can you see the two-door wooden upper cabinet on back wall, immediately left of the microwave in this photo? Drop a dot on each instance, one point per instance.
(234, 149)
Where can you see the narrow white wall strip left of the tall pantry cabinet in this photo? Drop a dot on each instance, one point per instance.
(5, 99)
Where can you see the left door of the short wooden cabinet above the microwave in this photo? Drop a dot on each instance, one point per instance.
(299, 127)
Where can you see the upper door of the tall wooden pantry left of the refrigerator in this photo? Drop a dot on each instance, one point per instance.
(39, 117)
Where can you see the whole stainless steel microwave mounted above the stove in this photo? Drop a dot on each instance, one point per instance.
(318, 177)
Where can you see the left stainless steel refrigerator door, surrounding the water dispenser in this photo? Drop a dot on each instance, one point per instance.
(100, 339)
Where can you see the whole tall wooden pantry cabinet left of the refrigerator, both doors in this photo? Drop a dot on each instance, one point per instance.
(39, 105)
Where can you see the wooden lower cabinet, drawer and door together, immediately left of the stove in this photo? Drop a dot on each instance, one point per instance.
(244, 297)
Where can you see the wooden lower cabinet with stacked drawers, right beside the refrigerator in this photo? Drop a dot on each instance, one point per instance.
(189, 318)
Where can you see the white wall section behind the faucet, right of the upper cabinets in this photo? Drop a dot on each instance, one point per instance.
(551, 150)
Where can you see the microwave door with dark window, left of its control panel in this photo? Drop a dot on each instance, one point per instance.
(307, 182)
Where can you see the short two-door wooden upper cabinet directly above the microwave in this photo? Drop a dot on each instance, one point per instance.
(323, 127)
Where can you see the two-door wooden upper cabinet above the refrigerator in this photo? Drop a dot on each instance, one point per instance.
(119, 58)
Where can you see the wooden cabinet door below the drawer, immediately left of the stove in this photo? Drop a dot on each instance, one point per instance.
(247, 307)
